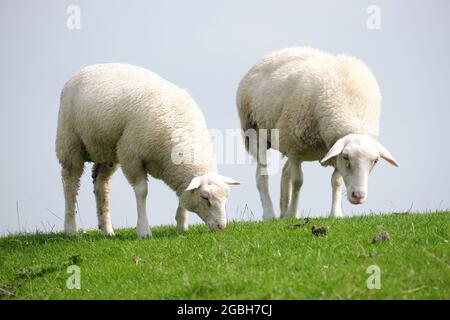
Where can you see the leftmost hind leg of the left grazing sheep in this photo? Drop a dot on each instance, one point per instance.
(71, 183)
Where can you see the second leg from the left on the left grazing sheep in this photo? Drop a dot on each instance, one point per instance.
(101, 174)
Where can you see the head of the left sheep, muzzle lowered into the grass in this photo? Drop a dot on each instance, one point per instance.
(206, 195)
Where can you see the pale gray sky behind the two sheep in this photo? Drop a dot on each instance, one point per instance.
(206, 47)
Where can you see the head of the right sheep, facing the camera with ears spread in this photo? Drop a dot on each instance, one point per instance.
(355, 156)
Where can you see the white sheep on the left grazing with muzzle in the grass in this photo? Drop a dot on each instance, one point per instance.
(122, 115)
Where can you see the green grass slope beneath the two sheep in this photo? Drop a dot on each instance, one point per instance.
(248, 260)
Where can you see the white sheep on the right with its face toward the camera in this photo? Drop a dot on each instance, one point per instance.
(325, 107)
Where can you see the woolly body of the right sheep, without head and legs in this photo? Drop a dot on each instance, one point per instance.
(312, 97)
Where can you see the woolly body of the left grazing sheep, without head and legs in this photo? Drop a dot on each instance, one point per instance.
(112, 113)
